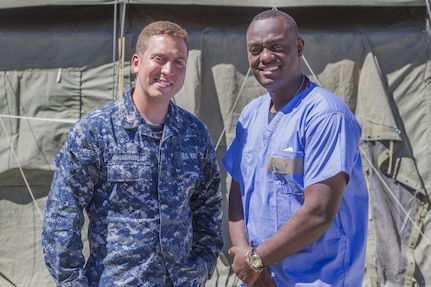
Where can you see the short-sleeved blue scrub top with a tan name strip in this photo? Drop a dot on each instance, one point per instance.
(314, 137)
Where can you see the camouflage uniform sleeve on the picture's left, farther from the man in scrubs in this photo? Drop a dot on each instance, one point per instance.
(71, 190)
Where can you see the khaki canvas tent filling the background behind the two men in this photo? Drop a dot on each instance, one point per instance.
(61, 58)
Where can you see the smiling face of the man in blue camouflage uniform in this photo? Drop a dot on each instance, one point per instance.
(161, 68)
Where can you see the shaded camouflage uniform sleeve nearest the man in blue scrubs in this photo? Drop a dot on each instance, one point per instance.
(207, 214)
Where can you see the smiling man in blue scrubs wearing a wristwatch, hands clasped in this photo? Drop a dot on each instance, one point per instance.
(298, 204)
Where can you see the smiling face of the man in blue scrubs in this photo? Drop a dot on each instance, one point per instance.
(274, 53)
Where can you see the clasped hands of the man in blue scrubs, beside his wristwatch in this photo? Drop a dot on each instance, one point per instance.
(241, 268)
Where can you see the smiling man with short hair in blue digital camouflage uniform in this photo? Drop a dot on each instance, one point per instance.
(146, 173)
